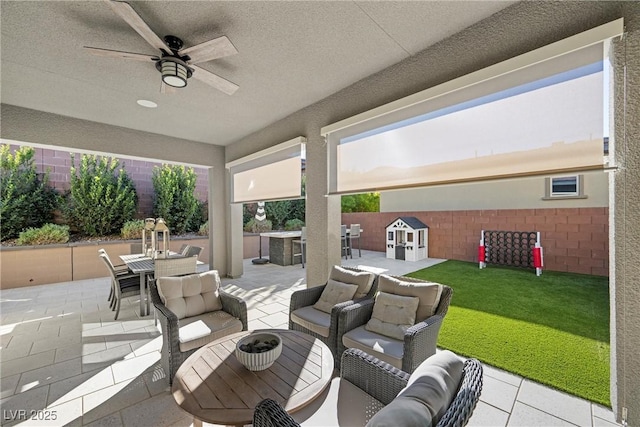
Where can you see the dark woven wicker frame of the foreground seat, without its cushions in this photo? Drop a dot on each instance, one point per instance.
(384, 382)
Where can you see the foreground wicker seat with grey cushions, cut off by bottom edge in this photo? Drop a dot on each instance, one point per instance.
(443, 391)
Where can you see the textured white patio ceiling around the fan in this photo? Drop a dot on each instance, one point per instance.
(291, 54)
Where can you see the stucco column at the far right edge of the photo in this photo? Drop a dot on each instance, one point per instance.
(624, 223)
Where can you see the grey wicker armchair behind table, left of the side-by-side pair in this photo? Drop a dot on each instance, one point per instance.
(303, 317)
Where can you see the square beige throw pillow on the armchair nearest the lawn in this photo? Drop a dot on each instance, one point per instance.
(392, 315)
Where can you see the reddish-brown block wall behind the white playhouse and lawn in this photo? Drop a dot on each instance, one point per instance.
(574, 240)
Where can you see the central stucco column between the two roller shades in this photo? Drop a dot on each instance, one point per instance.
(322, 214)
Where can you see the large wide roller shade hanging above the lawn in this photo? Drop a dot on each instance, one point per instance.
(542, 112)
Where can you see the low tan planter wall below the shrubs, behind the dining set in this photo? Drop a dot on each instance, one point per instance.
(39, 265)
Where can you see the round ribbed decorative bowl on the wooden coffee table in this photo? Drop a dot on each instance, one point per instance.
(258, 351)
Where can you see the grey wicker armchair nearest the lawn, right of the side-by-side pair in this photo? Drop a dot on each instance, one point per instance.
(418, 343)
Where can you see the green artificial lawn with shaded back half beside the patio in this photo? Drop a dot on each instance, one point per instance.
(553, 328)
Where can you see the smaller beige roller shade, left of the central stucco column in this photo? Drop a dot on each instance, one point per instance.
(272, 174)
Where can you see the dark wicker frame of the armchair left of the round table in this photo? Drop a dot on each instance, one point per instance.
(172, 356)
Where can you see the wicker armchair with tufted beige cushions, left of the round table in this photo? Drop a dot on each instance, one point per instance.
(194, 311)
